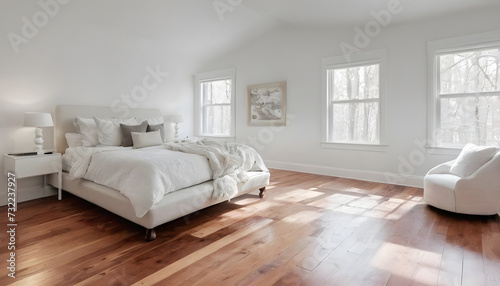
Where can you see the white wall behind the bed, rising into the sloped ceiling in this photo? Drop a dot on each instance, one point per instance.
(91, 52)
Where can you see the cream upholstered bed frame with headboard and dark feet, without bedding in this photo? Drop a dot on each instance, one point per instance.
(172, 205)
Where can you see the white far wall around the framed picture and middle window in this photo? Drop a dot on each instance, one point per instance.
(294, 55)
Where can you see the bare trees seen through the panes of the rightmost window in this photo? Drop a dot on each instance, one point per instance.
(469, 97)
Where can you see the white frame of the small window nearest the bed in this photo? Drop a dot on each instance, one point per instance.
(229, 73)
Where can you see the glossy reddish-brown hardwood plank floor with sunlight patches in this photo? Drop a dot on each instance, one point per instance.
(308, 230)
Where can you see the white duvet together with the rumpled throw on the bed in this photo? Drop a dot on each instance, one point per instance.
(146, 175)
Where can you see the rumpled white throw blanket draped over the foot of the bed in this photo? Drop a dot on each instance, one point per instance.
(228, 161)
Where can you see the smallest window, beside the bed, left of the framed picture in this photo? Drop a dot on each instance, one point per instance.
(214, 103)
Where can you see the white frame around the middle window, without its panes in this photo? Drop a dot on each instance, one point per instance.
(361, 59)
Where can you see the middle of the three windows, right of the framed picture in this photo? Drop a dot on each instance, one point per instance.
(353, 92)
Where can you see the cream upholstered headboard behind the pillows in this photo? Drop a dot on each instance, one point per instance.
(65, 115)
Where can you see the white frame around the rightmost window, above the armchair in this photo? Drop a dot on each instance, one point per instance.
(434, 50)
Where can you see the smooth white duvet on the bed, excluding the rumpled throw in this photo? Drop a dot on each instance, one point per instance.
(143, 175)
